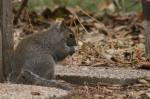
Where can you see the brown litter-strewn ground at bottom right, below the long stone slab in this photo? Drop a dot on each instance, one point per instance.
(104, 91)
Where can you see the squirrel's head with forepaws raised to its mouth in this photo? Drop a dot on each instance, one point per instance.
(66, 40)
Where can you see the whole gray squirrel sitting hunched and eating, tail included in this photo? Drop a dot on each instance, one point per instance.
(35, 57)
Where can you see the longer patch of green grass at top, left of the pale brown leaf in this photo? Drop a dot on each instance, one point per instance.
(85, 4)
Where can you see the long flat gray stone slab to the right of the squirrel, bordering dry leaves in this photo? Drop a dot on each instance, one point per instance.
(81, 74)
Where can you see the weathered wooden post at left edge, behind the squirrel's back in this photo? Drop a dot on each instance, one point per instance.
(6, 37)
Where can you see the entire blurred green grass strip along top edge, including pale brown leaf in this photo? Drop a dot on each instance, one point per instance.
(90, 5)
